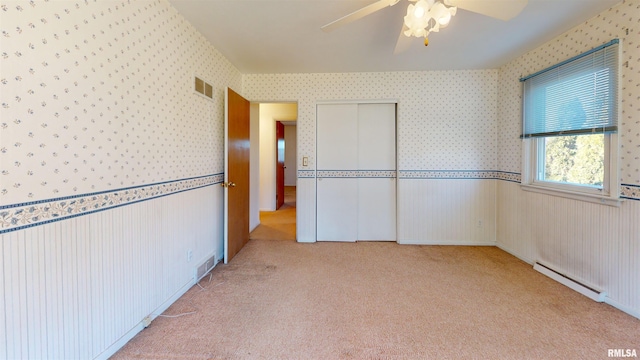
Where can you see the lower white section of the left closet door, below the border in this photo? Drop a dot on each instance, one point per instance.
(337, 209)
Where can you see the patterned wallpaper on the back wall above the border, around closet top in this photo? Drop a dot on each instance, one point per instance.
(446, 119)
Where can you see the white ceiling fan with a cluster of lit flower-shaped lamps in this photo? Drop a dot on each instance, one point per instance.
(427, 16)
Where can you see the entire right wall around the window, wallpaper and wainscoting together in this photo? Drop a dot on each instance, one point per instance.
(595, 244)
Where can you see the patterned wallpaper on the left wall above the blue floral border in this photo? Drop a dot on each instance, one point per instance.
(98, 95)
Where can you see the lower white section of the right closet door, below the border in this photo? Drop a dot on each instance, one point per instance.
(377, 209)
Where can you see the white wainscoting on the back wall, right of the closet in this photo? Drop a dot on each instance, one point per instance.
(446, 211)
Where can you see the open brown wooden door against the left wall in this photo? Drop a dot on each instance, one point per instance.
(236, 175)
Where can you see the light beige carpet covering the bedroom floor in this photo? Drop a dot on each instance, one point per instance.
(286, 300)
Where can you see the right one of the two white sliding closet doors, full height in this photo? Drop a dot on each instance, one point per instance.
(377, 172)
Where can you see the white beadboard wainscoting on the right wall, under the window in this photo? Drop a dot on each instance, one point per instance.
(593, 244)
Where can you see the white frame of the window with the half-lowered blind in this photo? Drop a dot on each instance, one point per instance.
(533, 152)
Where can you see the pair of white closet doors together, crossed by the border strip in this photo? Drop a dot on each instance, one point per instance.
(356, 156)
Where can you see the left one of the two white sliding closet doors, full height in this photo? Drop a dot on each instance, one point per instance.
(336, 185)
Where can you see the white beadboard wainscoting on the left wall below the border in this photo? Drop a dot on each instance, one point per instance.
(81, 287)
